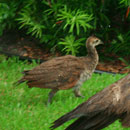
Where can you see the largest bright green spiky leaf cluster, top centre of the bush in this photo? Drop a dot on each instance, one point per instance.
(75, 18)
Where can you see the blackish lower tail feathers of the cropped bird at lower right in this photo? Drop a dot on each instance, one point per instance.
(97, 122)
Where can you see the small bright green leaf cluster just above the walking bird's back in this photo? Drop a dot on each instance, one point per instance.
(70, 45)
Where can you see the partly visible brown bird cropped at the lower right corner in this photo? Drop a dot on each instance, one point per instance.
(102, 109)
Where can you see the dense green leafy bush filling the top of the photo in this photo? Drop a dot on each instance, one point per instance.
(50, 20)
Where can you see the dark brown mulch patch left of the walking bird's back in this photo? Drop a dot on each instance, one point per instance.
(14, 44)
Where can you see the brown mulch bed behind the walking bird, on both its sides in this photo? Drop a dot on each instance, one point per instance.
(26, 47)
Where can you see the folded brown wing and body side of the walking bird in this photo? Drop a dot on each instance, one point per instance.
(61, 73)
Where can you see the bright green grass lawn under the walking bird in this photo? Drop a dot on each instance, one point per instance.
(22, 108)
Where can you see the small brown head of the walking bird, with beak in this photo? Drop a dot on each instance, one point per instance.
(93, 41)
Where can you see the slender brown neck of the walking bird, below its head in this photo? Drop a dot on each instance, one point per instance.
(93, 56)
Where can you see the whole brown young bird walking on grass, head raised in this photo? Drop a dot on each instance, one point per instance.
(64, 72)
